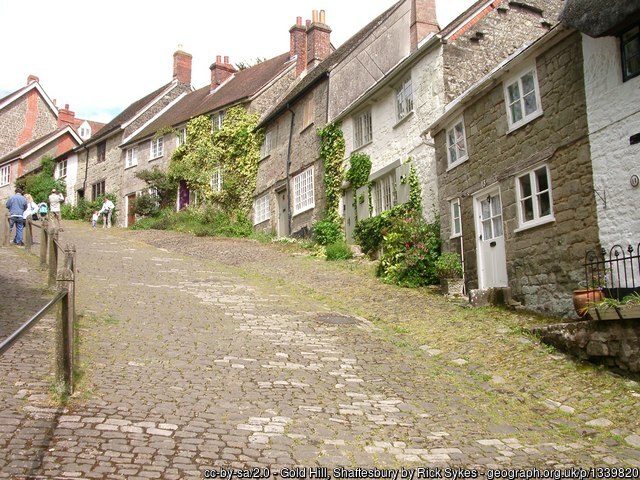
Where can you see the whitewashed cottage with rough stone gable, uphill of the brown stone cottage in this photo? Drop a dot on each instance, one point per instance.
(387, 121)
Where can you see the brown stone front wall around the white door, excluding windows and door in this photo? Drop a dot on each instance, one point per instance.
(544, 263)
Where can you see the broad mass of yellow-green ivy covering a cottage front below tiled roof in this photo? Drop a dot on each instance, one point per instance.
(234, 151)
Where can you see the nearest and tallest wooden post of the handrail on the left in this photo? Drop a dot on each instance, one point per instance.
(65, 281)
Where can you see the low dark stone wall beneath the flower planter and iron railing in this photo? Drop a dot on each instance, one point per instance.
(615, 343)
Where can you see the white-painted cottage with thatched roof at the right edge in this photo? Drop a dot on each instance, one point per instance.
(611, 64)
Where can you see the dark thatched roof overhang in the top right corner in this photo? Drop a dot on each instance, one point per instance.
(598, 18)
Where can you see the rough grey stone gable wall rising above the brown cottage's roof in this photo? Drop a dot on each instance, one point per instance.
(471, 53)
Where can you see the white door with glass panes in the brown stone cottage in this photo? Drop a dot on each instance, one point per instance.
(492, 260)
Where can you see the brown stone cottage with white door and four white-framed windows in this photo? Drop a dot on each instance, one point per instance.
(515, 178)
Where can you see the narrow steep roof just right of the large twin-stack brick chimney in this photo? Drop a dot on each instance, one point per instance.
(323, 69)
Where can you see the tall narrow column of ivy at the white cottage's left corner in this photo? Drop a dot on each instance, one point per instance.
(332, 150)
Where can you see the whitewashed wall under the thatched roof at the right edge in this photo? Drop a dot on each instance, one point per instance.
(613, 109)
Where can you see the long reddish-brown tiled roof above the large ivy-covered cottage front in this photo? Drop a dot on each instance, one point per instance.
(242, 86)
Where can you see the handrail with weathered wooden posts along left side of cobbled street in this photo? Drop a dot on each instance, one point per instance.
(64, 277)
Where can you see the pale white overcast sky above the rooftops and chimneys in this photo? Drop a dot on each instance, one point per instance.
(101, 57)
